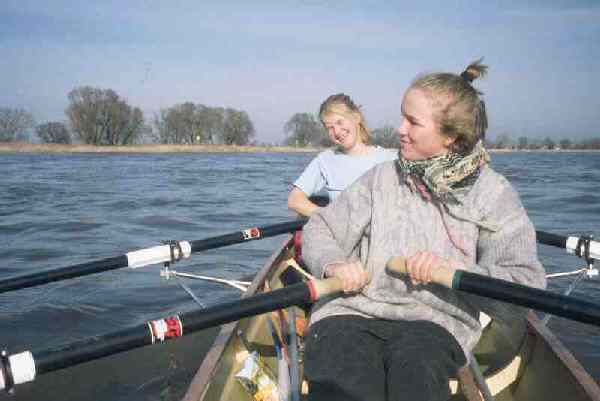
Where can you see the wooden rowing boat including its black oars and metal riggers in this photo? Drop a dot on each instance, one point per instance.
(517, 360)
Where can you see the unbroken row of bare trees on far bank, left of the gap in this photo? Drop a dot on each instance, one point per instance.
(101, 117)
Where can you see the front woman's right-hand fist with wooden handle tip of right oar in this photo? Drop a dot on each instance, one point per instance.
(424, 267)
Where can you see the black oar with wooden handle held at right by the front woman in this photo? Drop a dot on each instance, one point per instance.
(517, 294)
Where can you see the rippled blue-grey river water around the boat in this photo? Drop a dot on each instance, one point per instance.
(61, 209)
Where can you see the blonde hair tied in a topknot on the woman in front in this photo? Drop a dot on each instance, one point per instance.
(458, 108)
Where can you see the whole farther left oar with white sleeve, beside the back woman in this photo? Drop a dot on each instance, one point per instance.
(144, 257)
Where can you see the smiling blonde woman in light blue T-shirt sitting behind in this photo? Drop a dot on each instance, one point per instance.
(335, 169)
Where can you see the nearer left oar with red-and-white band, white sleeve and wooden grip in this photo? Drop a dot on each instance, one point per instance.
(24, 366)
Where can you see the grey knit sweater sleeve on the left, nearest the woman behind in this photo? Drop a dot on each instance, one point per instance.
(333, 234)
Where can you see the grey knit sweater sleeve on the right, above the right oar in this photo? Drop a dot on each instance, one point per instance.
(511, 252)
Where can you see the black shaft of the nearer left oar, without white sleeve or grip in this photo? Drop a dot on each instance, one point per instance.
(97, 347)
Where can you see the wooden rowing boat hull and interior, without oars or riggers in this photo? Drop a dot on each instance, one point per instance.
(523, 362)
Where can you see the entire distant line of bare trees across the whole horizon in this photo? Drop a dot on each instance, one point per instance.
(101, 117)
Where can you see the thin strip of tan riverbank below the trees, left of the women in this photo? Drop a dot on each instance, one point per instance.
(22, 147)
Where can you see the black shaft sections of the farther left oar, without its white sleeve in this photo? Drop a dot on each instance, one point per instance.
(49, 276)
